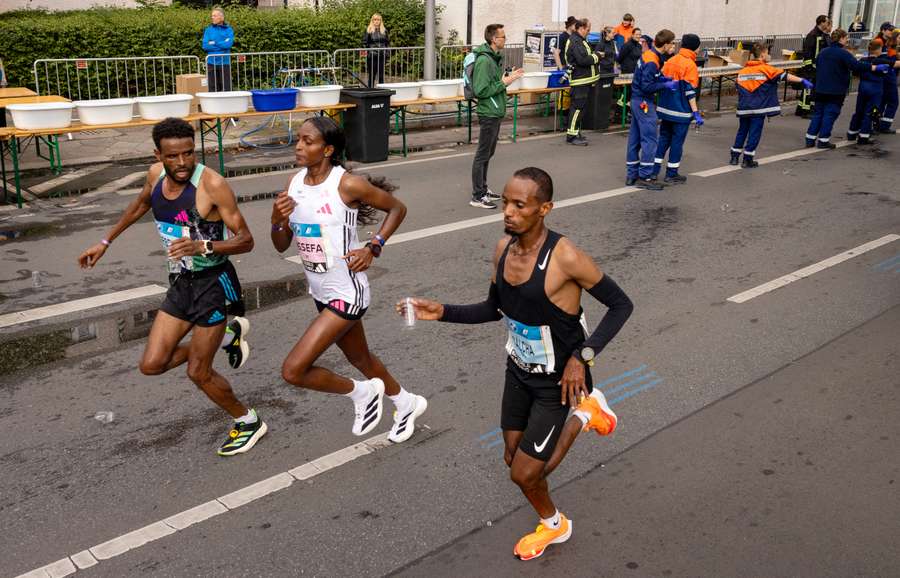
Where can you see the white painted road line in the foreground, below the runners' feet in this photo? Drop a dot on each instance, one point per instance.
(207, 510)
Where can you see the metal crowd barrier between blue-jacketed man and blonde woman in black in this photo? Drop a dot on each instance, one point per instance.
(249, 70)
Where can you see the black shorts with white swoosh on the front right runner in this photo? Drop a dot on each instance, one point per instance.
(531, 404)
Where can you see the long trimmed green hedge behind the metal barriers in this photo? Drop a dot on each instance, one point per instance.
(29, 35)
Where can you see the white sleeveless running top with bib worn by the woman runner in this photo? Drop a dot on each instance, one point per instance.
(325, 230)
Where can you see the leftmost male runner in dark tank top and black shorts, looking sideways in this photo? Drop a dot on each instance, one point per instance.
(192, 206)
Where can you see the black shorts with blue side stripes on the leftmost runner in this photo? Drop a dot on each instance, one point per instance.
(204, 298)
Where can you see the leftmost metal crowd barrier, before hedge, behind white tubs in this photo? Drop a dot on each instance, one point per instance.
(96, 78)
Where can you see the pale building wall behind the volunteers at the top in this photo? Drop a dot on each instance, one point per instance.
(703, 17)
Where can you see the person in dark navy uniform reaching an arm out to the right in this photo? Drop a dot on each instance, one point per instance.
(833, 68)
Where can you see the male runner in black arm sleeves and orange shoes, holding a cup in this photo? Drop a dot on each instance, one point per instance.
(536, 289)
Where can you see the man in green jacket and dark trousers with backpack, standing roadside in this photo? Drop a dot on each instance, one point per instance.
(489, 85)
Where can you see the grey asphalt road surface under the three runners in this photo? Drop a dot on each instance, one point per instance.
(755, 438)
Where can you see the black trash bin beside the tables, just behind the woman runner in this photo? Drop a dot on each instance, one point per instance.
(368, 124)
